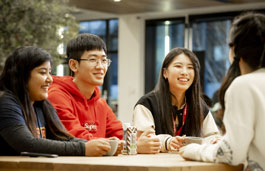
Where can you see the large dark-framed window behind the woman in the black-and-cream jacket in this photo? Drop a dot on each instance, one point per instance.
(206, 34)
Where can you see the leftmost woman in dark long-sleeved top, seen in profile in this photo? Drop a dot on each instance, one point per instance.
(28, 122)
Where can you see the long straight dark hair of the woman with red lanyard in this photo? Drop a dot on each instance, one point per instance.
(193, 96)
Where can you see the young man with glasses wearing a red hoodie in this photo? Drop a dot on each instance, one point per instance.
(77, 99)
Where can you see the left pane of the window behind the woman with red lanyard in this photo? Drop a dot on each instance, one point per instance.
(161, 36)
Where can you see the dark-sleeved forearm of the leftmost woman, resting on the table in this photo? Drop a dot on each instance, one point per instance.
(21, 139)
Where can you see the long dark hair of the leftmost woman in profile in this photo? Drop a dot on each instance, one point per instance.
(14, 80)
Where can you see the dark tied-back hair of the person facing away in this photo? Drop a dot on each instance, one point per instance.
(247, 37)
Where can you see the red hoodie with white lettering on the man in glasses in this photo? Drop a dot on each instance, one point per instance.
(86, 119)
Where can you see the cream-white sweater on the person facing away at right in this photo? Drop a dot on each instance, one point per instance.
(244, 119)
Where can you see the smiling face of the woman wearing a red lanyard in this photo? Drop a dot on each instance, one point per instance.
(179, 73)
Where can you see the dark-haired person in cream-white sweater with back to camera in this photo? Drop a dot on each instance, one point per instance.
(244, 100)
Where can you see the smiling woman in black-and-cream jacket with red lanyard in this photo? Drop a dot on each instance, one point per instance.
(175, 107)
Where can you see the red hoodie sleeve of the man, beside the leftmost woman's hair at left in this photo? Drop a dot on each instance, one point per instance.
(63, 105)
